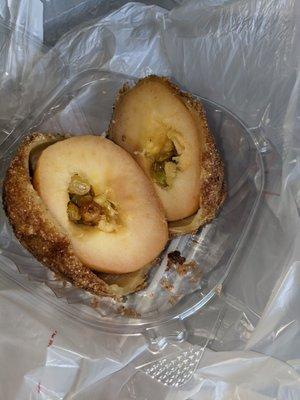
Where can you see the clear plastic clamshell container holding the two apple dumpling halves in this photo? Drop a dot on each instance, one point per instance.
(83, 105)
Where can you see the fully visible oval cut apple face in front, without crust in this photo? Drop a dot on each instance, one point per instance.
(122, 226)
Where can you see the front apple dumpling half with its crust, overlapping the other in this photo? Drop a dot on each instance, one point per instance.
(82, 206)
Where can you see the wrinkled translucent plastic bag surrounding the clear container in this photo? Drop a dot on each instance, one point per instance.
(243, 55)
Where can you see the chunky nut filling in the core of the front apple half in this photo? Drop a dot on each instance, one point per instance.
(87, 208)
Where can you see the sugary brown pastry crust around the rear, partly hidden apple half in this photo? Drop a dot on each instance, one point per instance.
(213, 186)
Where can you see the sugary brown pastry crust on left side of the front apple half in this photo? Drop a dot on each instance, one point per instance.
(34, 226)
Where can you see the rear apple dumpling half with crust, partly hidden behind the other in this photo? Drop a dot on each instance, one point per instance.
(166, 131)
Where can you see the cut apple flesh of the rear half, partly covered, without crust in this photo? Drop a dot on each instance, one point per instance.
(152, 123)
